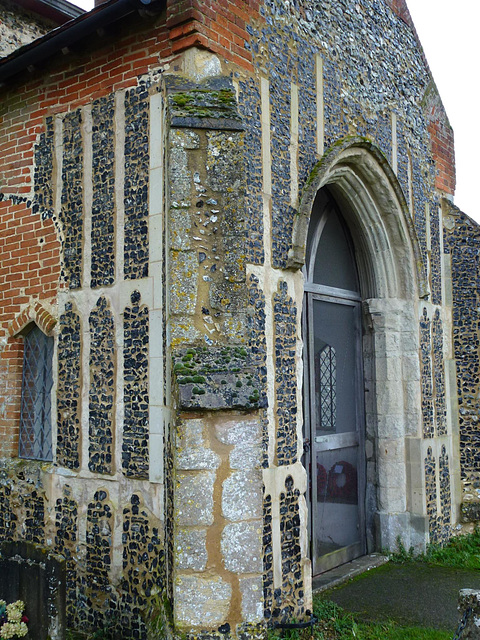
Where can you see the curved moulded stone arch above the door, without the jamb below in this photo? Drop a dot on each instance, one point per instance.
(361, 173)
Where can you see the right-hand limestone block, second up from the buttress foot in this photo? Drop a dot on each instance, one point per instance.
(241, 546)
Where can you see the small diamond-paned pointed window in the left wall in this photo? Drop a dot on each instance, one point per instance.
(36, 410)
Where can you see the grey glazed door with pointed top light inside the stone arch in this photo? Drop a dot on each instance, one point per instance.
(334, 390)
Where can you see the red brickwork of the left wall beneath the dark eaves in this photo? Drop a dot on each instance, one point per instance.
(30, 270)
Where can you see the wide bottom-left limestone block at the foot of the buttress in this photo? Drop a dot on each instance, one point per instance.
(201, 601)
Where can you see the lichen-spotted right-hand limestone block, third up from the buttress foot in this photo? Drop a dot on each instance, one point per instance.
(242, 496)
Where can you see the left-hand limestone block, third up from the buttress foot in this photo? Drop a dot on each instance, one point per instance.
(194, 498)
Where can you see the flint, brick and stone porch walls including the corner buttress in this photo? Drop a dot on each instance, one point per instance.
(161, 184)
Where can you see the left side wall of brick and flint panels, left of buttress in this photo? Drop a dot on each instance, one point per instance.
(82, 241)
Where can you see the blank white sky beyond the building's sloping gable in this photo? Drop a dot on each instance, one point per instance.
(449, 34)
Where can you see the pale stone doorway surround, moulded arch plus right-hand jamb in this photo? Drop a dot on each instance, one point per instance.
(388, 258)
